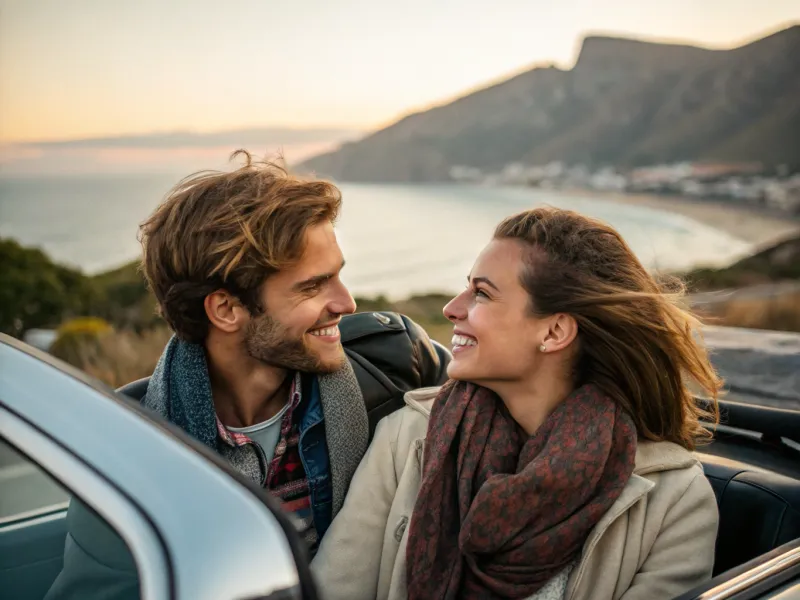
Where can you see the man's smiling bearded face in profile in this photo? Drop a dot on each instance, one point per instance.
(298, 329)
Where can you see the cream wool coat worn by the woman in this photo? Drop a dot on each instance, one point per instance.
(655, 542)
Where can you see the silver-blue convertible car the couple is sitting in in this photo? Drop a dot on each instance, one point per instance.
(63, 435)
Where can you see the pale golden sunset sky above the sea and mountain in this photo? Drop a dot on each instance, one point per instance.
(108, 68)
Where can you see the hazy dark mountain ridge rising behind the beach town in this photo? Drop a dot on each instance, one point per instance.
(625, 102)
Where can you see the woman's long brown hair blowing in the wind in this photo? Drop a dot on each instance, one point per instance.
(636, 343)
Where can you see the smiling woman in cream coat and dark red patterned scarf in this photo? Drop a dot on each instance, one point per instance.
(556, 462)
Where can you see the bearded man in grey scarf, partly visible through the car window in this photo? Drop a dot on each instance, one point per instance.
(245, 267)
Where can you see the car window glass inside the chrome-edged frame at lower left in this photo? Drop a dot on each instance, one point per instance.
(38, 536)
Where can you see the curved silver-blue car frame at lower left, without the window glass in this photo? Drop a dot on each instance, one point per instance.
(128, 451)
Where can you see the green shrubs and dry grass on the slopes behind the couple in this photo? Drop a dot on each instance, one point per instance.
(107, 324)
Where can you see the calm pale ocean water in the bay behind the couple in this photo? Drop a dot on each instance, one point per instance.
(398, 239)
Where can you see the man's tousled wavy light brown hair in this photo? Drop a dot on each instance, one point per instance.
(228, 230)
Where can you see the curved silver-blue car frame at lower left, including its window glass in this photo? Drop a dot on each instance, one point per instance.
(171, 519)
